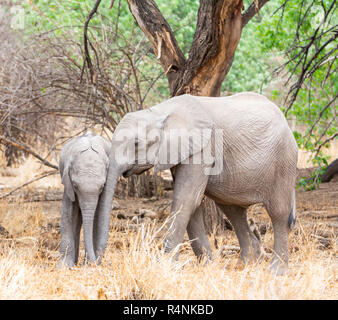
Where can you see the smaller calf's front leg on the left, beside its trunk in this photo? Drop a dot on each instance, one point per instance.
(70, 227)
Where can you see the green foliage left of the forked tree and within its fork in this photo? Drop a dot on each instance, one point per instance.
(67, 17)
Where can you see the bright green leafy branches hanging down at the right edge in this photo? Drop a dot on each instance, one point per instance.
(315, 105)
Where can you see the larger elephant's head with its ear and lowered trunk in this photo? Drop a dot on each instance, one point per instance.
(160, 137)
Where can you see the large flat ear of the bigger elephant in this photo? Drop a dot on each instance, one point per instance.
(185, 131)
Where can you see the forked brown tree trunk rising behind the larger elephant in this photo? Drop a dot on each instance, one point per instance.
(218, 31)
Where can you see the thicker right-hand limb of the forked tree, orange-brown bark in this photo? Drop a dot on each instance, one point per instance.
(218, 31)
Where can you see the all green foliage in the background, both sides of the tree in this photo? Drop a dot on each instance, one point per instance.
(270, 39)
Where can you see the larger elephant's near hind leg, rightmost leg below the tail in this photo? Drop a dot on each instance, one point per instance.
(280, 214)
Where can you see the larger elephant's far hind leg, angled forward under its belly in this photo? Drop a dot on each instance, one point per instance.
(251, 248)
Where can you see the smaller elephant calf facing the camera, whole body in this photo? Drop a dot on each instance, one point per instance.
(83, 167)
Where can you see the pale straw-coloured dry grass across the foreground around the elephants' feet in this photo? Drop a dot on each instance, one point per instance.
(135, 267)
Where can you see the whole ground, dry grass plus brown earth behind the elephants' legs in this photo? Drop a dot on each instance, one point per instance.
(135, 267)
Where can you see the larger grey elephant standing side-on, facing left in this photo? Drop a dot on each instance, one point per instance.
(259, 159)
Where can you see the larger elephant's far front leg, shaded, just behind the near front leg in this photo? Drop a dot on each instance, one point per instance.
(197, 235)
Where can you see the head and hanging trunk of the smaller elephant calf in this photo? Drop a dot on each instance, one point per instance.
(84, 166)
